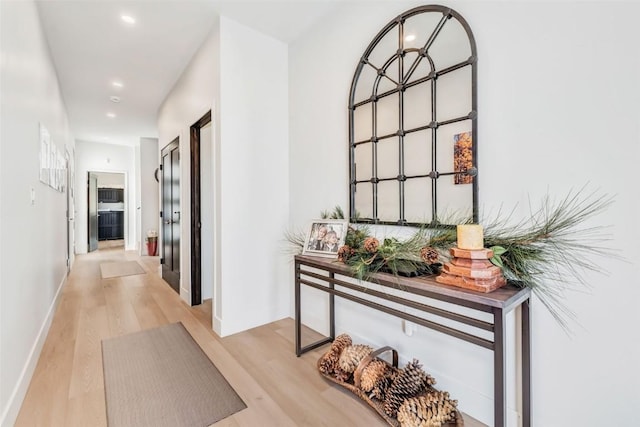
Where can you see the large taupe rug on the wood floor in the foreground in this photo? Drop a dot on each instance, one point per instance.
(161, 377)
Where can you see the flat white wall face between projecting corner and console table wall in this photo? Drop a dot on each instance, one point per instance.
(254, 177)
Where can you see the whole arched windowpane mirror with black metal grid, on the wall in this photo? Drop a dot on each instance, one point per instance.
(413, 122)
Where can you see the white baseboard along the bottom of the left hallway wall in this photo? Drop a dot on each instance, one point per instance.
(10, 413)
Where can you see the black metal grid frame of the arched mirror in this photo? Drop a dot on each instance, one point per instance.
(400, 87)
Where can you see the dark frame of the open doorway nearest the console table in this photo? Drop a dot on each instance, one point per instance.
(196, 213)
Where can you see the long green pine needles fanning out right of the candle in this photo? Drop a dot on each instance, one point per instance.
(550, 251)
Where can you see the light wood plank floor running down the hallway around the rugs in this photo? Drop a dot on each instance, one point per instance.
(279, 389)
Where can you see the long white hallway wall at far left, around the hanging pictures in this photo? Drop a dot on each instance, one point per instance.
(33, 235)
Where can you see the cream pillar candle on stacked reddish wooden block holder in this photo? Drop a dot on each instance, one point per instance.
(470, 267)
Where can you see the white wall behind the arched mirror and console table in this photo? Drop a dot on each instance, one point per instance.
(558, 108)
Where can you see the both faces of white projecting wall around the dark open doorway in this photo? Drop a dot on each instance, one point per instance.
(247, 94)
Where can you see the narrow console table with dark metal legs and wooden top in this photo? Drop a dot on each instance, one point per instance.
(320, 273)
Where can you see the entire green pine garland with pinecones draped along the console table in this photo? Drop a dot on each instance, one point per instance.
(547, 252)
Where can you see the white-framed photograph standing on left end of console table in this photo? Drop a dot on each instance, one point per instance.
(325, 236)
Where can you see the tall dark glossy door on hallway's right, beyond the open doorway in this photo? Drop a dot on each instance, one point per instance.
(170, 258)
